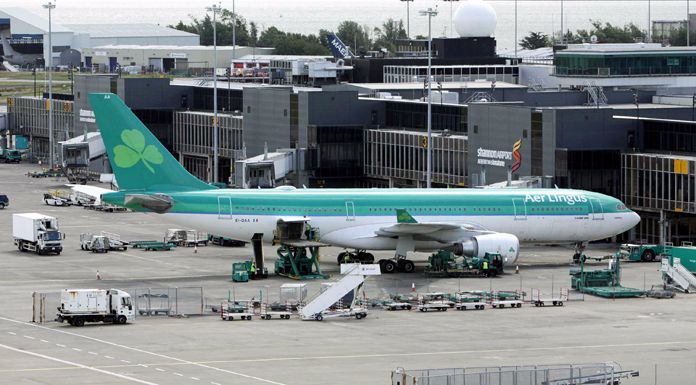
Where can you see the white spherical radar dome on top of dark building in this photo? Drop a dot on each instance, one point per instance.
(475, 18)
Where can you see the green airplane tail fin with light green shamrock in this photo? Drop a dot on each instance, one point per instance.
(138, 159)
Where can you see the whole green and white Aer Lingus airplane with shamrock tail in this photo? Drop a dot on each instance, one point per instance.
(469, 221)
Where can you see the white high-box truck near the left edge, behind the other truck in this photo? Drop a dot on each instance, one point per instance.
(37, 233)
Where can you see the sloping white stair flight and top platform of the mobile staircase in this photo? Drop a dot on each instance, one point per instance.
(353, 276)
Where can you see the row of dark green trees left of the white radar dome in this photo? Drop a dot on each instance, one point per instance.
(360, 38)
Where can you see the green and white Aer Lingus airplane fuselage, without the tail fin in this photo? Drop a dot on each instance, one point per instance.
(352, 217)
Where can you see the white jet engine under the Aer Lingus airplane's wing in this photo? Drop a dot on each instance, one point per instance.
(507, 245)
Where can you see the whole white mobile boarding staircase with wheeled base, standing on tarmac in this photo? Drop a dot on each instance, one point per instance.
(353, 278)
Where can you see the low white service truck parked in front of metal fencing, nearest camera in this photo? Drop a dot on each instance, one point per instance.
(78, 306)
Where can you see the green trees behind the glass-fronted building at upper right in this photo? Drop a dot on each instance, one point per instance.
(605, 33)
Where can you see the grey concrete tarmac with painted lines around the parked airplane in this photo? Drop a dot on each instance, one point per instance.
(655, 337)
